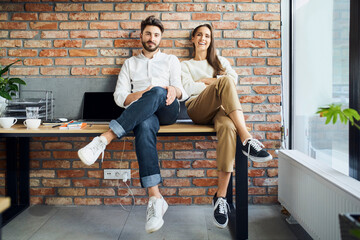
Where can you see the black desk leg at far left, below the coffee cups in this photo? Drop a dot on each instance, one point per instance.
(17, 176)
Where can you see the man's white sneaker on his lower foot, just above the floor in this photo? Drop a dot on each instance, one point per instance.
(154, 213)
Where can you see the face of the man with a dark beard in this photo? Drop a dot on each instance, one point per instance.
(151, 38)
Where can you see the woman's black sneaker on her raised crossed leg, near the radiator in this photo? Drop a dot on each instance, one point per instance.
(252, 148)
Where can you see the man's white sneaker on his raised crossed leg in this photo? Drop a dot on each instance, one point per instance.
(91, 152)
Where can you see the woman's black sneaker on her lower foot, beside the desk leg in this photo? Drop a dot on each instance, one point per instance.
(221, 209)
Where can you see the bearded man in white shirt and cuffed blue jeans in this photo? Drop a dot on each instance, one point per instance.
(148, 86)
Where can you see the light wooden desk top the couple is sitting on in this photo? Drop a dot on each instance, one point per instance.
(96, 129)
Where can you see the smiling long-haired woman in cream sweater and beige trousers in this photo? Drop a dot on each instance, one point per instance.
(210, 82)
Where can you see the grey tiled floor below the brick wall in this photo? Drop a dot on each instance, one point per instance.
(109, 222)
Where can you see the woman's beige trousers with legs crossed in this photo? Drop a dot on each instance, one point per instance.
(212, 106)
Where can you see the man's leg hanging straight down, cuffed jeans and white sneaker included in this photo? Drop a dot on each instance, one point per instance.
(146, 152)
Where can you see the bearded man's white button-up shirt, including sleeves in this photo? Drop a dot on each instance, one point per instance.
(139, 72)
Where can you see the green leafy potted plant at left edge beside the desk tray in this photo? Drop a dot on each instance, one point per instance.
(8, 86)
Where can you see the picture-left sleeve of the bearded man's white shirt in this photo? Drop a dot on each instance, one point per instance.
(123, 85)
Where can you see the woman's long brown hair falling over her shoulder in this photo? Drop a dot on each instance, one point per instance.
(211, 56)
